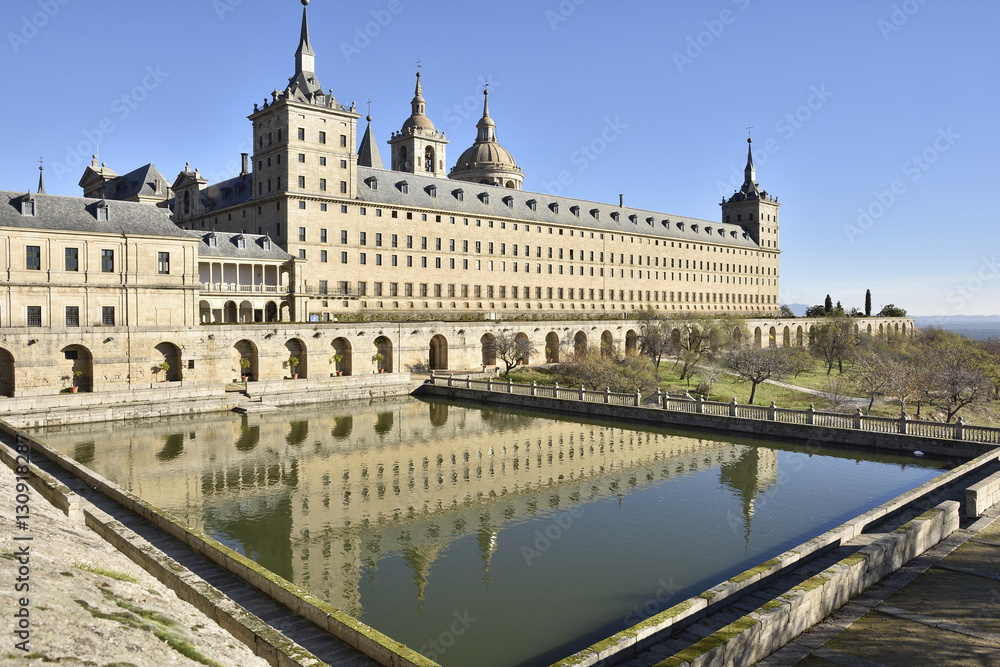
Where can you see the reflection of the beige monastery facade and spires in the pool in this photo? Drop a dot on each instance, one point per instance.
(320, 495)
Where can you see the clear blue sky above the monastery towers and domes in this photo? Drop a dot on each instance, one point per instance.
(848, 101)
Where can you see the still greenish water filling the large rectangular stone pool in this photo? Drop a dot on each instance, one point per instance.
(484, 537)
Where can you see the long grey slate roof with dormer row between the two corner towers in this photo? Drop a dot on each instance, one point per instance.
(665, 226)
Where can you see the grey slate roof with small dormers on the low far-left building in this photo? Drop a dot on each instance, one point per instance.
(78, 214)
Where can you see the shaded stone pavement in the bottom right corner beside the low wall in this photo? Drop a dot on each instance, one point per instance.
(942, 608)
